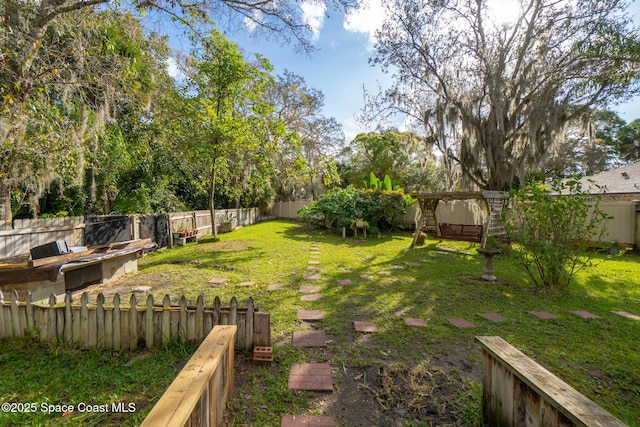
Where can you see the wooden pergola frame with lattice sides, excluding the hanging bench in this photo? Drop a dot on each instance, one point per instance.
(428, 202)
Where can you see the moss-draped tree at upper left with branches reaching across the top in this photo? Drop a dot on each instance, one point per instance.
(46, 56)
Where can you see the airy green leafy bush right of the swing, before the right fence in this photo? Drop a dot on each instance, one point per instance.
(552, 232)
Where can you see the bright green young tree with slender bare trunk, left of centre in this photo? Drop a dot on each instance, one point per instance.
(223, 111)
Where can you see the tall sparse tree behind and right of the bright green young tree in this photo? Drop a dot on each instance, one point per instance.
(320, 138)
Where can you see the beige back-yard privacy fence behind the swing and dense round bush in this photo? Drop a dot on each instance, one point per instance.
(623, 227)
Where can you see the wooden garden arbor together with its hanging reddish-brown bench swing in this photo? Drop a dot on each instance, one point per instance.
(426, 219)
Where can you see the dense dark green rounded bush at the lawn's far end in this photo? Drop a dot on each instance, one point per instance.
(382, 210)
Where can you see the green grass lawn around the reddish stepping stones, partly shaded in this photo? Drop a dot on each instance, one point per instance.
(402, 375)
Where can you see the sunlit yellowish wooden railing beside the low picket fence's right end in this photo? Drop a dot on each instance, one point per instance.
(198, 395)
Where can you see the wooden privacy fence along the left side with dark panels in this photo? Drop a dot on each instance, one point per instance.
(23, 234)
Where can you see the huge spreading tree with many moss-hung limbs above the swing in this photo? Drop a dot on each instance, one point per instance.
(495, 96)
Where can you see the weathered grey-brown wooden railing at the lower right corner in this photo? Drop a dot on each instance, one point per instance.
(516, 391)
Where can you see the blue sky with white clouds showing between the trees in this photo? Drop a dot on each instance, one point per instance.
(339, 67)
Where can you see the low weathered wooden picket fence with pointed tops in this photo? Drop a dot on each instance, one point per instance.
(128, 325)
